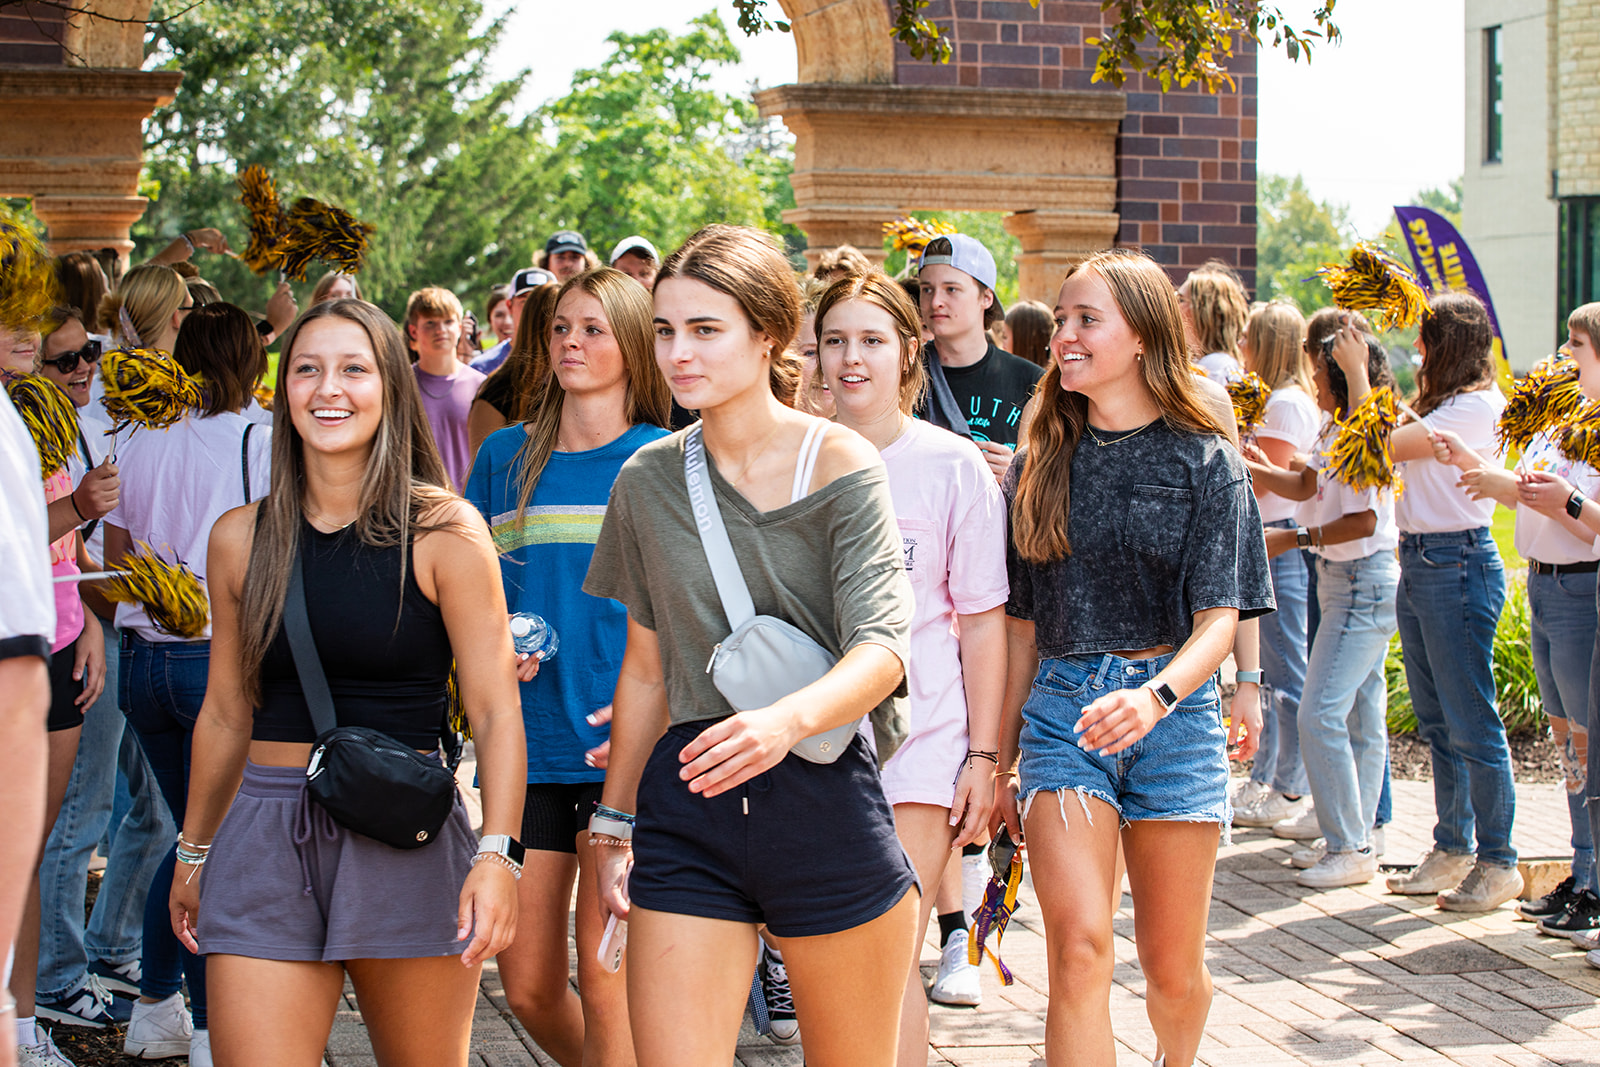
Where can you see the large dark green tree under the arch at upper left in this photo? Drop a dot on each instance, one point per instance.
(386, 111)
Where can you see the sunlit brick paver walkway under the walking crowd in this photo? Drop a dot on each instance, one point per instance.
(1351, 977)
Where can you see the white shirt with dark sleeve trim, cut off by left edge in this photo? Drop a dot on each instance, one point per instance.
(28, 610)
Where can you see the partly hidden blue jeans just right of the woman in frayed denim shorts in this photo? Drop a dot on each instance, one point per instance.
(1284, 650)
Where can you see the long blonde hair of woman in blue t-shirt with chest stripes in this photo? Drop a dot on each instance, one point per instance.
(628, 311)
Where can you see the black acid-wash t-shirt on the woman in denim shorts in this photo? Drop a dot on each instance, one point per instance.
(1162, 526)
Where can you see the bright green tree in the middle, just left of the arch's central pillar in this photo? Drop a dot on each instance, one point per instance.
(650, 148)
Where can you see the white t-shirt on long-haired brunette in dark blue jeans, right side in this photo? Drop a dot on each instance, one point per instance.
(1431, 502)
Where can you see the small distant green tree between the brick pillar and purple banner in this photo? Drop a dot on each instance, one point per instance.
(1297, 234)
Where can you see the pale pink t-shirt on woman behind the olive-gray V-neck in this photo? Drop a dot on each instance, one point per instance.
(953, 527)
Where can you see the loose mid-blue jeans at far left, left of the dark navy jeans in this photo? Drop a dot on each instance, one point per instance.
(118, 924)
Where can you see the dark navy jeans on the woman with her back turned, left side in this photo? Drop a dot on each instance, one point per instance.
(162, 689)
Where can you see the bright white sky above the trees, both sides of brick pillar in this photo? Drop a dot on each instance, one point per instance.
(1367, 124)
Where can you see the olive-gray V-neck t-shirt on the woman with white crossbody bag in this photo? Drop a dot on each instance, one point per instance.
(830, 564)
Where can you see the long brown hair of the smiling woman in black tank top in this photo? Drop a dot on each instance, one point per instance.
(406, 479)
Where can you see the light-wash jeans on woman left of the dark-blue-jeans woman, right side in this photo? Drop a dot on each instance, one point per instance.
(1343, 717)
